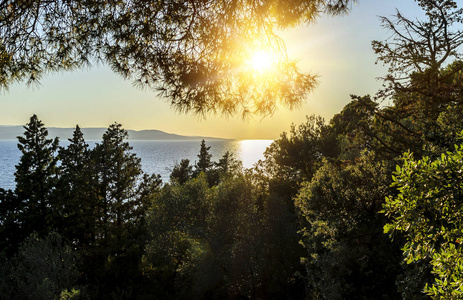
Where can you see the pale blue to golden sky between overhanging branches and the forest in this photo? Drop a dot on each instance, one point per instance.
(337, 49)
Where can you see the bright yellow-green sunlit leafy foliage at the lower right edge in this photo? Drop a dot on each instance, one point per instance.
(427, 210)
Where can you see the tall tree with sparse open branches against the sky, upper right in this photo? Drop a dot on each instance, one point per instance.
(424, 77)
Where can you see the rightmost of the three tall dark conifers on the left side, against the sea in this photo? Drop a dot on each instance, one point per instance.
(120, 195)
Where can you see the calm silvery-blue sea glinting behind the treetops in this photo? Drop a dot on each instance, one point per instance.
(157, 157)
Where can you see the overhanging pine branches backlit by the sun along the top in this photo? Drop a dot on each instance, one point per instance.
(193, 52)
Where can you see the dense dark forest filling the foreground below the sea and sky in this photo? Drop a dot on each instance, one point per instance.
(367, 205)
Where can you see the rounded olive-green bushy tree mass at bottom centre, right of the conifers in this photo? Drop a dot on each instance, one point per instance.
(229, 240)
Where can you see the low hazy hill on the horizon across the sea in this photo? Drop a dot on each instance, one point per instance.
(96, 134)
